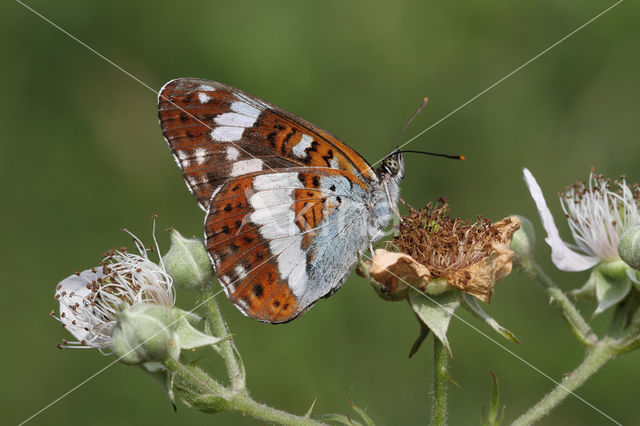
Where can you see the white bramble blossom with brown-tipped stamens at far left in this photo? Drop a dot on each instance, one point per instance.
(90, 300)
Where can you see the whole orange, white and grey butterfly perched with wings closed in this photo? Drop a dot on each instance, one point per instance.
(288, 206)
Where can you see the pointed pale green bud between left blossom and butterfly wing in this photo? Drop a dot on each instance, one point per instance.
(188, 262)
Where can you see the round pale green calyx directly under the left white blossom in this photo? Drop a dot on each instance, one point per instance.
(144, 333)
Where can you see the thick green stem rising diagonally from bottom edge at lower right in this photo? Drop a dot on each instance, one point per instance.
(596, 357)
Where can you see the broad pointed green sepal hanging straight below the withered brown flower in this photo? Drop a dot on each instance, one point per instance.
(435, 311)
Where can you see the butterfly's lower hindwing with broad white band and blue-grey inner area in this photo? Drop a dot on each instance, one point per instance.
(281, 240)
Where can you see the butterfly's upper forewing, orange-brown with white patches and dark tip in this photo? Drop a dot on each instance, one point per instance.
(217, 132)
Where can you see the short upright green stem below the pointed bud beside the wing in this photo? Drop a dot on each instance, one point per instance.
(227, 348)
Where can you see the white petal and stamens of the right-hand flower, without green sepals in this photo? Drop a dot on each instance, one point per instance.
(597, 217)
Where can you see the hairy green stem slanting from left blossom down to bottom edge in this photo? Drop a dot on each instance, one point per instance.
(238, 401)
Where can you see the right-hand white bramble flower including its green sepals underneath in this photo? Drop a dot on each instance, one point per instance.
(598, 212)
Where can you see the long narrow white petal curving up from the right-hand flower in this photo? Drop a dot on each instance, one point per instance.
(562, 256)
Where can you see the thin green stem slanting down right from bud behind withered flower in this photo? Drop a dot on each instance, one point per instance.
(572, 316)
